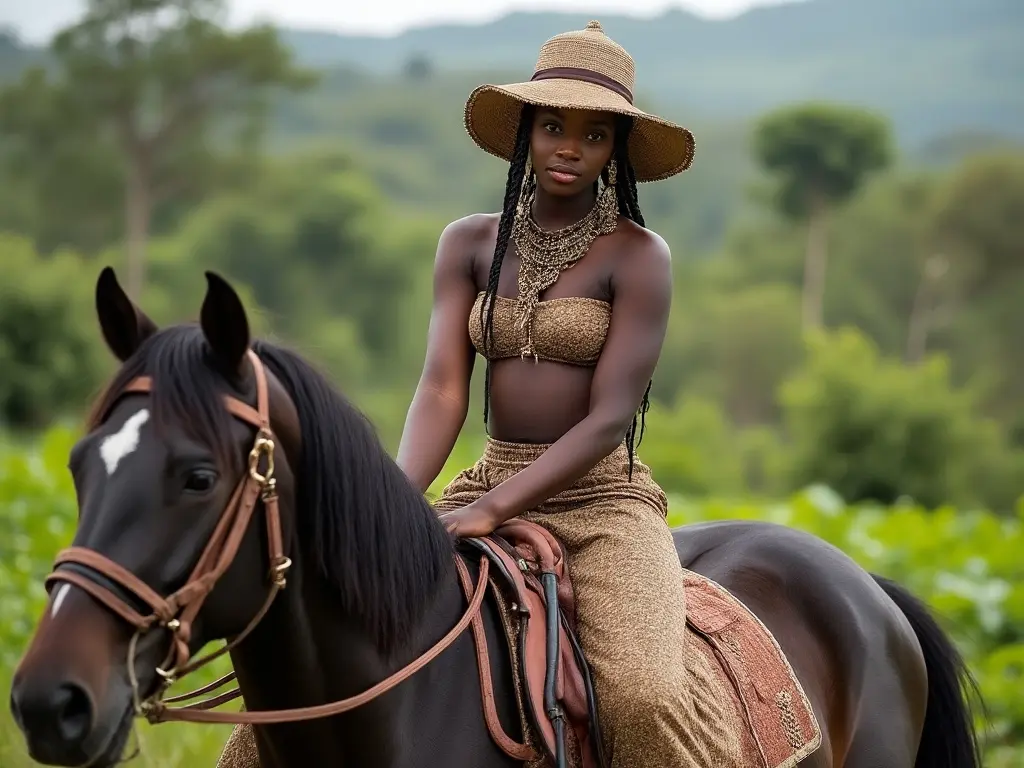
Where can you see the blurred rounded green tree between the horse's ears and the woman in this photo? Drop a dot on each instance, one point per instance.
(313, 241)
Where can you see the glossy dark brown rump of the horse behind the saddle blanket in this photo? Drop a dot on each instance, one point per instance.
(850, 646)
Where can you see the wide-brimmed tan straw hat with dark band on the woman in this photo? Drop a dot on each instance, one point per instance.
(581, 70)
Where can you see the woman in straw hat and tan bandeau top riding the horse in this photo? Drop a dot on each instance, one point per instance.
(567, 296)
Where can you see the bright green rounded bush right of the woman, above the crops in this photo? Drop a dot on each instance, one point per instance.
(876, 430)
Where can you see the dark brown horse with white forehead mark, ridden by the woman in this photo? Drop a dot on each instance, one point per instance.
(372, 583)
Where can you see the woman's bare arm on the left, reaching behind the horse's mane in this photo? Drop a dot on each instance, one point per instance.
(442, 401)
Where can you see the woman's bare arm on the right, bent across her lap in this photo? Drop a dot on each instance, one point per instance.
(642, 303)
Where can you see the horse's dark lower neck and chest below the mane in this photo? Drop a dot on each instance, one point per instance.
(307, 653)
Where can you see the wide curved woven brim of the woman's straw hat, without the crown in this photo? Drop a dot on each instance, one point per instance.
(659, 149)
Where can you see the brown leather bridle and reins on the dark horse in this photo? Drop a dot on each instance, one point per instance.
(178, 612)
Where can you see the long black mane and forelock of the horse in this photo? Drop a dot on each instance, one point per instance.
(375, 539)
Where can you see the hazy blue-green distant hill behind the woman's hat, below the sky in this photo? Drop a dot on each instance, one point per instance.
(936, 67)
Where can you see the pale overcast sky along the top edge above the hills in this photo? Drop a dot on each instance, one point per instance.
(36, 20)
